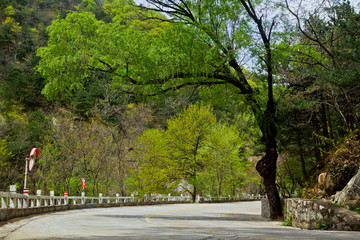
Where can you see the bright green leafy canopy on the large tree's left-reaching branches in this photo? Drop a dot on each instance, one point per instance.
(125, 46)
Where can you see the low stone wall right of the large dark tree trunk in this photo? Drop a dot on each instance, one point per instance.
(316, 214)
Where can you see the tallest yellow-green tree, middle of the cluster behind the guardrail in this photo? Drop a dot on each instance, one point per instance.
(186, 136)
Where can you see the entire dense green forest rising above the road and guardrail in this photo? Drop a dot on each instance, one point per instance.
(193, 97)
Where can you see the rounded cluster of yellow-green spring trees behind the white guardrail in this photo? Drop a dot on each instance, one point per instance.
(194, 148)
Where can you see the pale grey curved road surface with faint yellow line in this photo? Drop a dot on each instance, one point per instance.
(181, 221)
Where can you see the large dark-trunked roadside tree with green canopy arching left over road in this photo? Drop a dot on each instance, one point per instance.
(203, 51)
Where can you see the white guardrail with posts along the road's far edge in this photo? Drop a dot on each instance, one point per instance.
(15, 200)
